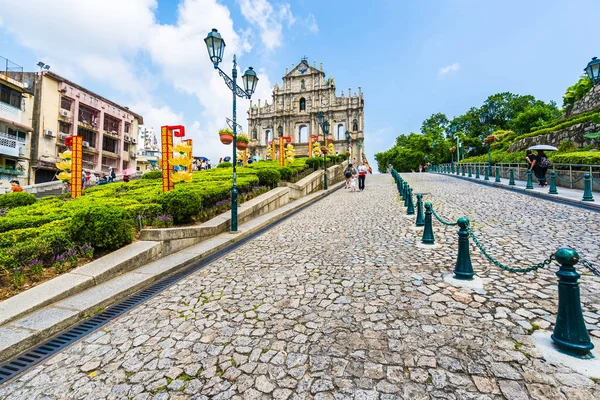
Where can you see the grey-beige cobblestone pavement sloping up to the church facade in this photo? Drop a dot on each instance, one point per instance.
(338, 303)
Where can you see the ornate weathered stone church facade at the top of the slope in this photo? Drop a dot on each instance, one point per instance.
(293, 110)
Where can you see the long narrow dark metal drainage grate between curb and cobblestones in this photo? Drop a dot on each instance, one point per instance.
(28, 359)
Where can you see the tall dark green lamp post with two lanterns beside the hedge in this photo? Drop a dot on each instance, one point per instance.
(216, 46)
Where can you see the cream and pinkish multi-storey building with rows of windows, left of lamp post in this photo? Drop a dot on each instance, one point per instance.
(61, 109)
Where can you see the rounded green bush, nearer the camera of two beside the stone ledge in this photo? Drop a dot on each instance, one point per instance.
(104, 226)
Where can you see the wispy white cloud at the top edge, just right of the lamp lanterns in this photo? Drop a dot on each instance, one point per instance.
(269, 21)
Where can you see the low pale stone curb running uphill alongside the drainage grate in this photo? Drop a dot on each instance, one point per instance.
(28, 331)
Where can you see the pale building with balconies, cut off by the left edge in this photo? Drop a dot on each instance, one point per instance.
(16, 107)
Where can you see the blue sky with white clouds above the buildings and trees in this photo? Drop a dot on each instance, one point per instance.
(411, 58)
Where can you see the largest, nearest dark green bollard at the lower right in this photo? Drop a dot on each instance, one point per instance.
(570, 334)
